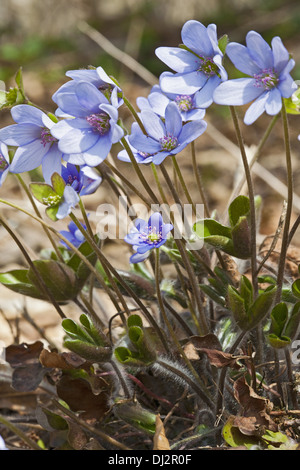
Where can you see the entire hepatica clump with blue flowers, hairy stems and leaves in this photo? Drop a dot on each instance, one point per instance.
(198, 318)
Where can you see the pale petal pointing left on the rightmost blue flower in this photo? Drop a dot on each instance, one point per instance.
(236, 92)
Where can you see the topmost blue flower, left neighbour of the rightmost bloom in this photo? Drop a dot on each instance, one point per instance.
(198, 65)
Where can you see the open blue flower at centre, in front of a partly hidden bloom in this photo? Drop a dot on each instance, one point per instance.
(164, 138)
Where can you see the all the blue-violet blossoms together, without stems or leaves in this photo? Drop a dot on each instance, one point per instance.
(74, 141)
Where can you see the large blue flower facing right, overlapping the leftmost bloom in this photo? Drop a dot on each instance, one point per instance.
(87, 137)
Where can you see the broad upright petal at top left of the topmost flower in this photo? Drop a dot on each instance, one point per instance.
(194, 36)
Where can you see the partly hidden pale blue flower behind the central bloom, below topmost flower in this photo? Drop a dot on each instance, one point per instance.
(158, 101)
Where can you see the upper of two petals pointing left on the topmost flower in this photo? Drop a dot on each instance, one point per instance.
(177, 59)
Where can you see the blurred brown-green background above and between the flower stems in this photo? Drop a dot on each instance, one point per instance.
(47, 38)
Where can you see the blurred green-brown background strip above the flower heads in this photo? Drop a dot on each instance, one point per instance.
(46, 39)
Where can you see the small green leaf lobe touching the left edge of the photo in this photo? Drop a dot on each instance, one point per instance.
(17, 281)
